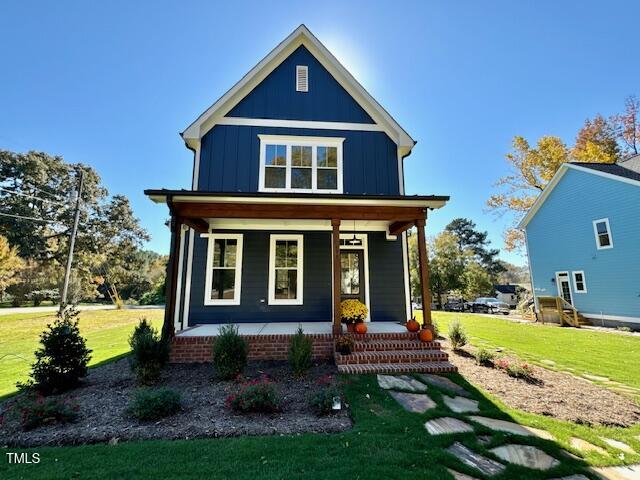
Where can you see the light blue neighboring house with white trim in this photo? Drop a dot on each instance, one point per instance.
(583, 240)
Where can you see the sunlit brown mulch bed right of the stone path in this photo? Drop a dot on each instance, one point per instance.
(554, 394)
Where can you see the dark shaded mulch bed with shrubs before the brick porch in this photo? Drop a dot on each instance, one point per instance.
(108, 389)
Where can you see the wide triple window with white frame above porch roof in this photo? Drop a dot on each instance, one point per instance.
(300, 164)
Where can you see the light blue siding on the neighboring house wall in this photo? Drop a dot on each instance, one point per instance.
(560, 237)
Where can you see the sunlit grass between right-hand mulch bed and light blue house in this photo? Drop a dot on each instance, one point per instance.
(578, 351)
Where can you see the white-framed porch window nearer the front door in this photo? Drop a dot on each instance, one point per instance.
(285, 270)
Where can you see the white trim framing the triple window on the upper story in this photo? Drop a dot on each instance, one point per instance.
(289, 141)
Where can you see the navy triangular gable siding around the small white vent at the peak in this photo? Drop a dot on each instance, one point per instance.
(276, 96)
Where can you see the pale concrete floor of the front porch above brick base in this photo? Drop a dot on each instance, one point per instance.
(286, 328)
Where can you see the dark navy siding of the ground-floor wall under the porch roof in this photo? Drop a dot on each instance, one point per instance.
(385, 271)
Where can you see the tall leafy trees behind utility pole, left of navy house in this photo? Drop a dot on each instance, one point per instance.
(36, 215)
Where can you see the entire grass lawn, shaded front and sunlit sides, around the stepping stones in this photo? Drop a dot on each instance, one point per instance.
(386, 441)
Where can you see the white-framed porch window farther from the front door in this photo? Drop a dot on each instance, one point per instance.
(224, 269)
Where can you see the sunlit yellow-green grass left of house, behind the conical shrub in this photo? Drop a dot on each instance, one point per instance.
(106, 332)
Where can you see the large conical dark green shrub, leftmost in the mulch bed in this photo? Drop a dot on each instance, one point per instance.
(62, 359)
